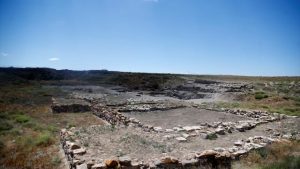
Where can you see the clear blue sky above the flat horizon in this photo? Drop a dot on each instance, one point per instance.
(239, 37)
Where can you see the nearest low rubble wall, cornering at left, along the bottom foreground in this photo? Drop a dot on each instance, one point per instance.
(218, 157)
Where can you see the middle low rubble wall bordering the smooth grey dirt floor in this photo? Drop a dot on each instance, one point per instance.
(206, 130)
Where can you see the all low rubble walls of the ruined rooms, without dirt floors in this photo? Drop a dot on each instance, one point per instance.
(212, 158)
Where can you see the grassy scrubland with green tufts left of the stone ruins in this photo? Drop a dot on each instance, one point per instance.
(29, 128)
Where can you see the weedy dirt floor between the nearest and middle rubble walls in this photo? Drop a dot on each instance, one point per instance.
(105, 142)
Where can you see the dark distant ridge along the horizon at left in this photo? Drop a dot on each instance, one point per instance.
(131, 80)
